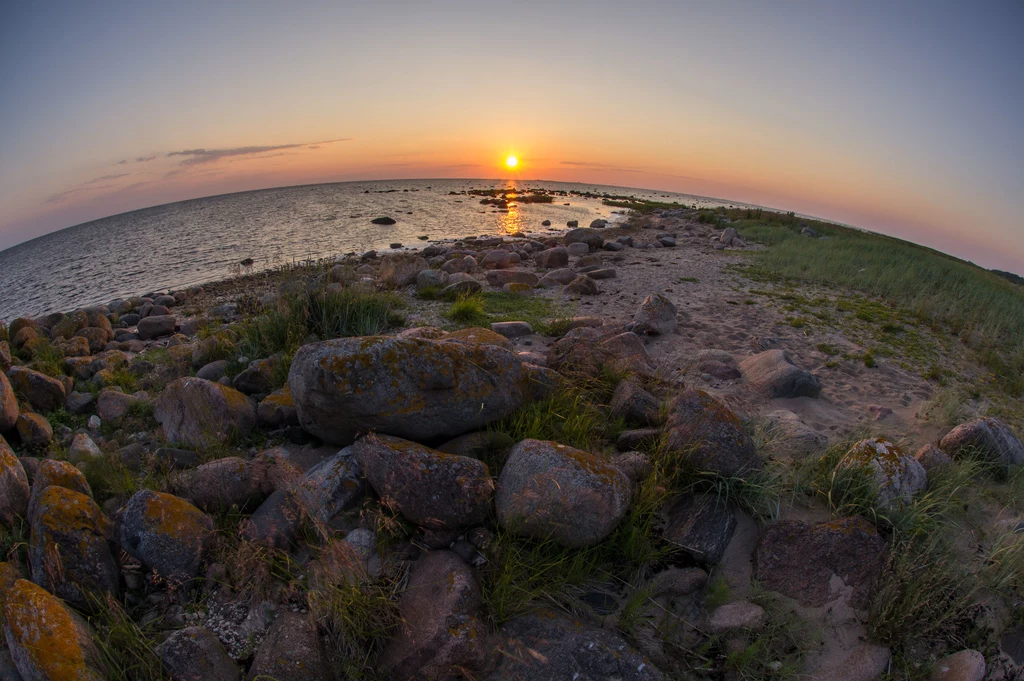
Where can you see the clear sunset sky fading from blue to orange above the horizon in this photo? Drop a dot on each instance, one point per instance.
(899, 117)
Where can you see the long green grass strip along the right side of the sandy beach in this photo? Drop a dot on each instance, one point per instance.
(979, 307)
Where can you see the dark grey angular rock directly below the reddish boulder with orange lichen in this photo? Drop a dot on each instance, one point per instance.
(702, 526)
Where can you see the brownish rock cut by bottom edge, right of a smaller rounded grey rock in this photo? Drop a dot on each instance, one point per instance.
(291, 652)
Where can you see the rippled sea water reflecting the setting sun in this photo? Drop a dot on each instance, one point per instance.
(193, 242)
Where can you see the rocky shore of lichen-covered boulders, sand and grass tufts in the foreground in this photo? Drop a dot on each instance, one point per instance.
(636, 465)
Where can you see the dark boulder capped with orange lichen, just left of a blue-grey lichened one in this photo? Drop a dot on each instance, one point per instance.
(70, 547)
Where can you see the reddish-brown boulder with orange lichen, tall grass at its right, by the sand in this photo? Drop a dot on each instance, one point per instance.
(711, 437)
